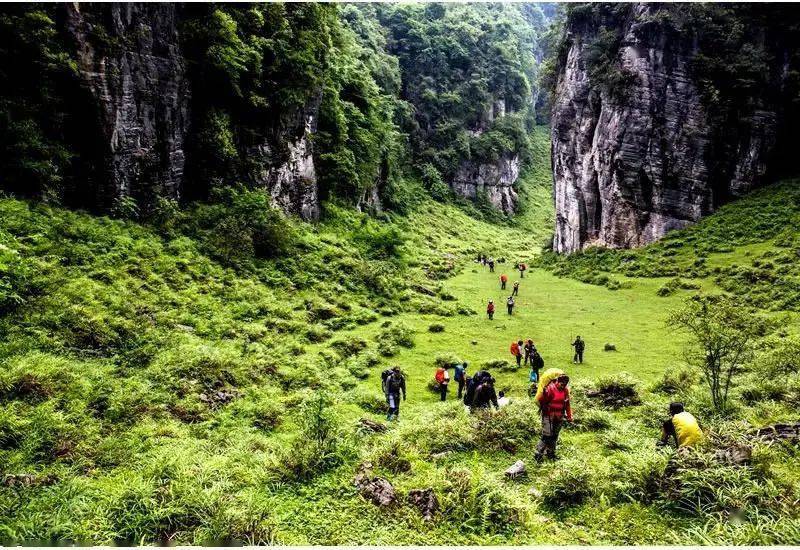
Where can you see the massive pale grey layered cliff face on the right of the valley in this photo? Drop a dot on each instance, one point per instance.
(631, 165)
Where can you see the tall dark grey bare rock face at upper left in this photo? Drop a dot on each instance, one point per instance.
(137, 78)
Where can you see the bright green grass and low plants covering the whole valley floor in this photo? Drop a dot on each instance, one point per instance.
(158, 387)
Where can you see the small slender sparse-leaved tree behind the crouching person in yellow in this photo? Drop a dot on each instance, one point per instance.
(721, 332)
